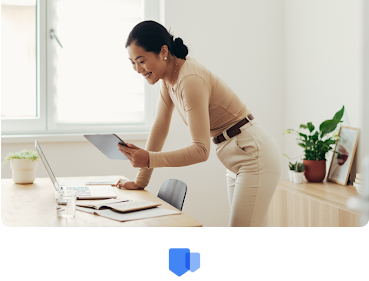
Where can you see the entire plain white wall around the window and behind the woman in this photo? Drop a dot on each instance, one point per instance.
(291, 62)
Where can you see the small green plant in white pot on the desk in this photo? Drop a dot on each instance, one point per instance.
(23, 165)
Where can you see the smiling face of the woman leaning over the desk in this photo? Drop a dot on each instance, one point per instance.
(151, 66)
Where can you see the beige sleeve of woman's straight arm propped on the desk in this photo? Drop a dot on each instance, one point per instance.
(158, 132)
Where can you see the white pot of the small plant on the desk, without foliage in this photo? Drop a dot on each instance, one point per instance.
(23, 170)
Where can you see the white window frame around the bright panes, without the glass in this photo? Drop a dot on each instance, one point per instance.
(43, 123)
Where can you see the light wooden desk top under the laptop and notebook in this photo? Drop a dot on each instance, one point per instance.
(34, 205)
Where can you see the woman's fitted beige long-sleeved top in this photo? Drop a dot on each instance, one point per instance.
(207, 106)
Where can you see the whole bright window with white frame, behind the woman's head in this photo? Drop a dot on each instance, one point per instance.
(65, 69)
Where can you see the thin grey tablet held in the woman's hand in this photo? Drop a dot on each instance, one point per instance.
(108, 144)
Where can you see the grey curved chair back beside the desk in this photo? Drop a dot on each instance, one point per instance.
(173, 192)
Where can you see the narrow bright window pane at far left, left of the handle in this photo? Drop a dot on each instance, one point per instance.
(18, 58)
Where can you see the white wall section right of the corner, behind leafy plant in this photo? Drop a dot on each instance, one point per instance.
(324, 54)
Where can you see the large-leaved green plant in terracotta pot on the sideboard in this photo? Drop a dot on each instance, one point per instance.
(316, 145)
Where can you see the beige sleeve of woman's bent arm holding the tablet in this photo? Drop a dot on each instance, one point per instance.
(194, 100)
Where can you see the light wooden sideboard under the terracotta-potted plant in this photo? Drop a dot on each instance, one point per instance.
(312, 204)
